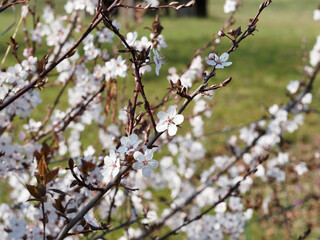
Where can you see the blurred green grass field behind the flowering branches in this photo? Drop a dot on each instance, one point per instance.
(262, 66)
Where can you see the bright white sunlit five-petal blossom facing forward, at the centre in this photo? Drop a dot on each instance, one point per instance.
(169, 120)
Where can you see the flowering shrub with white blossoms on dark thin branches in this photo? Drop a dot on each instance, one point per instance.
(114, 184)
